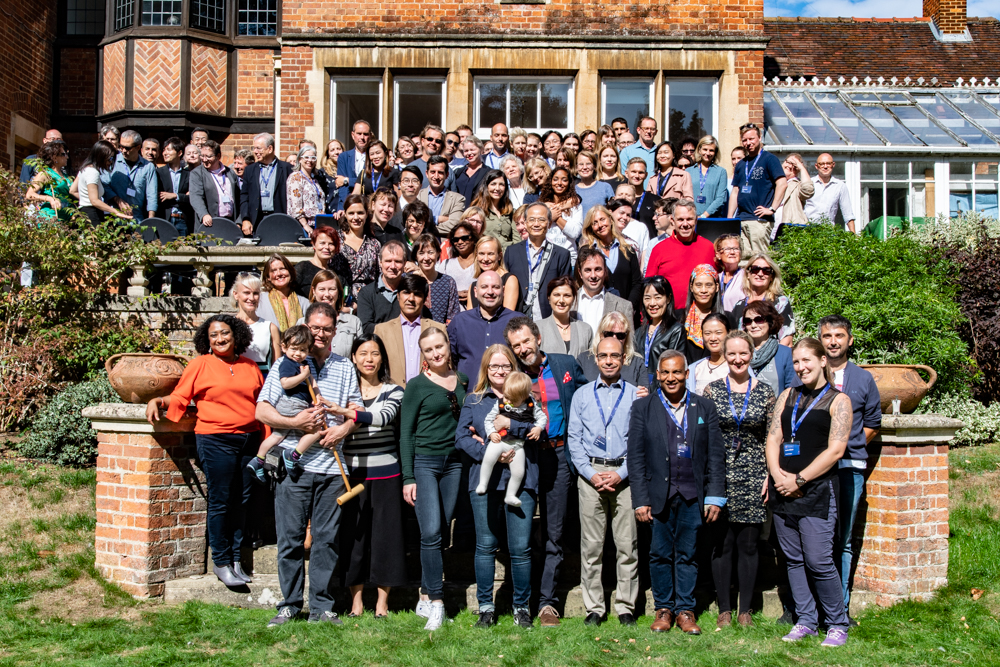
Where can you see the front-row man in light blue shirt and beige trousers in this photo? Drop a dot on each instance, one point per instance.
(598, 444)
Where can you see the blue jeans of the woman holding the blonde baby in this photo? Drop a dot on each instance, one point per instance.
(491, 512)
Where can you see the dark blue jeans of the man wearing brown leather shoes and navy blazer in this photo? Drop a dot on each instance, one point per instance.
(673, 570)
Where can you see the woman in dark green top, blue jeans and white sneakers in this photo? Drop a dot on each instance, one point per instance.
(433, 400)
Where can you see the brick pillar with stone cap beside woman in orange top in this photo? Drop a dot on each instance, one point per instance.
(150, 499)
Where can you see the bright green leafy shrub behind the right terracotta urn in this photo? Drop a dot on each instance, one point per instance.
(900, 296)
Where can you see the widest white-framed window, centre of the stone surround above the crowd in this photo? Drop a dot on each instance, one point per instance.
(535, 105)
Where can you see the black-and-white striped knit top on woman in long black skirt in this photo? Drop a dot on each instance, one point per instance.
(372, 452)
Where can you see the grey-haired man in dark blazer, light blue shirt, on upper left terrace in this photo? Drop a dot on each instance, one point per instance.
(264, 181)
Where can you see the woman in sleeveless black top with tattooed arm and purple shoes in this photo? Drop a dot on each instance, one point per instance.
(803, 448)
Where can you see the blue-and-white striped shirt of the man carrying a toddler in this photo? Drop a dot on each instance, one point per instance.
(337, 382)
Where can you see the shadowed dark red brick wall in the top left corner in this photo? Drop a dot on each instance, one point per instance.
(27, 30)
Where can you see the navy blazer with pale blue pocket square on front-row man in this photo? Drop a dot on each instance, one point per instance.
(649, 457)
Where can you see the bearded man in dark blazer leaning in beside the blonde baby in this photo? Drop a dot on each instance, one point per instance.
(556, 473)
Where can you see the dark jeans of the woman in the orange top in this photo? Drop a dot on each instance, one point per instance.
(223, 458)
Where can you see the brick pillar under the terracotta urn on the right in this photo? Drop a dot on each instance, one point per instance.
(905, 550)
